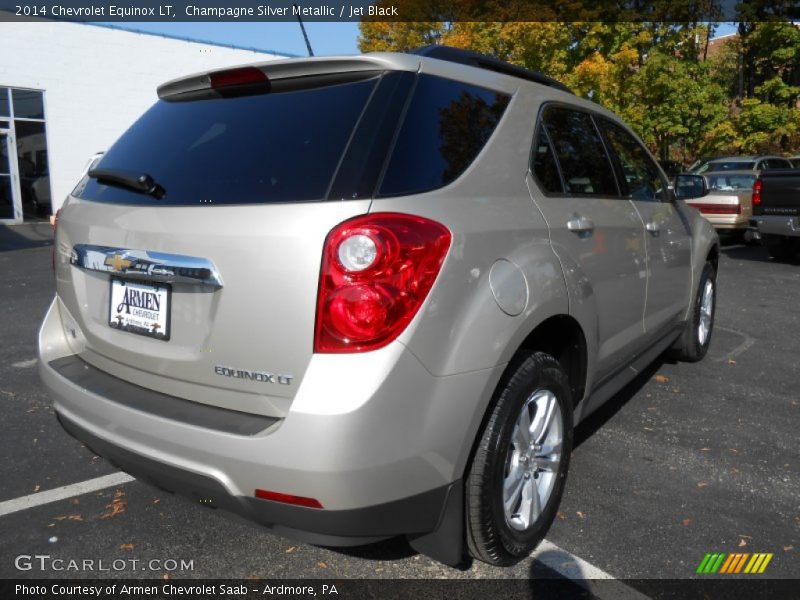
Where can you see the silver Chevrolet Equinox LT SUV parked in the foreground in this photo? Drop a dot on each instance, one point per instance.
(361, 297)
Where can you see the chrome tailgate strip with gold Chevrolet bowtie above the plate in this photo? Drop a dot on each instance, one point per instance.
(146, 265)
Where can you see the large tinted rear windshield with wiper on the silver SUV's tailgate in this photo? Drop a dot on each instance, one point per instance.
(279, 147)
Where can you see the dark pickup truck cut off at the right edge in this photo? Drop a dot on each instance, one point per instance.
(776, 211)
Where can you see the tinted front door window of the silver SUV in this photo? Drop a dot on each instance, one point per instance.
(641, 177)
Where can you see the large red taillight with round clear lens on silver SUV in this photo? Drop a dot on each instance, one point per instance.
(376, 272)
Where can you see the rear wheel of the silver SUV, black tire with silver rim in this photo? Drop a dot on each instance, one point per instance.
(506, 455)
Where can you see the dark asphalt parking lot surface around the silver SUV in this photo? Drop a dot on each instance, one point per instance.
(689, 459)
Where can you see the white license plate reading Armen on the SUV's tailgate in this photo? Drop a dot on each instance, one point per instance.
(140, 308)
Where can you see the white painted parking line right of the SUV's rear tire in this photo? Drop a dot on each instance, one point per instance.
(583, 572)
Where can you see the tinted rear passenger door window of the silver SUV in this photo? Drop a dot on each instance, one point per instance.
(584, 164)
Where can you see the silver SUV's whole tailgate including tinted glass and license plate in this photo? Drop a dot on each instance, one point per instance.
(205, 286)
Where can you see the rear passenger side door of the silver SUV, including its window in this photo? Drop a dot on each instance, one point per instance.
(597, 234)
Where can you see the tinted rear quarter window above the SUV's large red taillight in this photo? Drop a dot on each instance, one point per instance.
(447, 124)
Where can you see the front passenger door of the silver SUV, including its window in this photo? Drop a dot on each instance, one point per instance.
(668, 234)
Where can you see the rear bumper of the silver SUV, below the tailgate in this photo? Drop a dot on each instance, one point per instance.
(383, 462)
